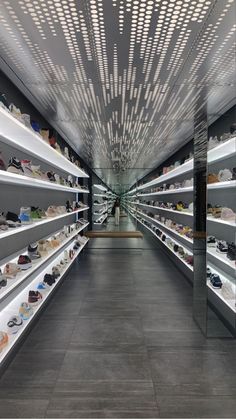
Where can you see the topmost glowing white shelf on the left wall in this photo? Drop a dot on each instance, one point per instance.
(16, 134)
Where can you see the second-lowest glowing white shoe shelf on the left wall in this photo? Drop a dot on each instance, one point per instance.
(23, 275)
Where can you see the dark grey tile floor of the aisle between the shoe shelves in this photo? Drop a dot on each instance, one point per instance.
(118, 341)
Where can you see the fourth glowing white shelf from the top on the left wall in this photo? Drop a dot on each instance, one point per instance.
(23, 275)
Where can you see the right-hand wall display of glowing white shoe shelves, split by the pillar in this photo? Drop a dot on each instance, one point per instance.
(220, 193)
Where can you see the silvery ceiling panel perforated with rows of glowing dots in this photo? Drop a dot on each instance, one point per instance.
(121, 80)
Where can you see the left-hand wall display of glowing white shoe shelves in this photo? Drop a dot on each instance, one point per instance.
(20, 190)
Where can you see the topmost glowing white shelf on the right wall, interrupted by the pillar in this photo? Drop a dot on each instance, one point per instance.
(221, 152)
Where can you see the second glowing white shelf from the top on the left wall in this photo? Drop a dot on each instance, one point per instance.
(15, 179)
